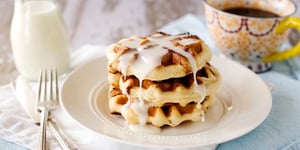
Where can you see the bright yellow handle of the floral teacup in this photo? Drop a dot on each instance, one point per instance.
(289, 22)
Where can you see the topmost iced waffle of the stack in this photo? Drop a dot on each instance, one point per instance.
(170, 56)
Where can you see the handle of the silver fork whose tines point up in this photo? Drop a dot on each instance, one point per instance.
(43, 127)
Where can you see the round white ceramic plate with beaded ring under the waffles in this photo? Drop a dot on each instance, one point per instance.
(84, 98)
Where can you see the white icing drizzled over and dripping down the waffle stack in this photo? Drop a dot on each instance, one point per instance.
(148, 56)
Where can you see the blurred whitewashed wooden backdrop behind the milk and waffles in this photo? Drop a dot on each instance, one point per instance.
(102, 22)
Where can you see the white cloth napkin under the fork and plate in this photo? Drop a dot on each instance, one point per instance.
(16, 126)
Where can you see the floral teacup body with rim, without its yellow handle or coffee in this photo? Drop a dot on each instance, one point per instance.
(247, 39)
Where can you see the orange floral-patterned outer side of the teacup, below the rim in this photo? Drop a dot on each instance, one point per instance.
(248, 39)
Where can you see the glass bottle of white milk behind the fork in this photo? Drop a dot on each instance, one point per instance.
(38, 38)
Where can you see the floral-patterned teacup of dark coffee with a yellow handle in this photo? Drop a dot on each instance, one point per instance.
(252, 31)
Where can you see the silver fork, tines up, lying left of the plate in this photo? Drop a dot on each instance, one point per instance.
(47, 99)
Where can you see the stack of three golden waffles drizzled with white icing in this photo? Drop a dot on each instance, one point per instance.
(161, 79)
